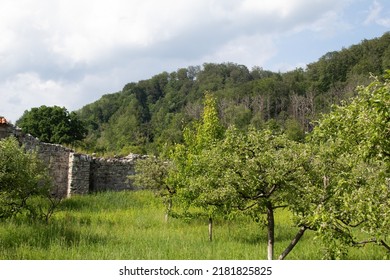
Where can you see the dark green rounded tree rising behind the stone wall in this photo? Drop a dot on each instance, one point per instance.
(52, 124)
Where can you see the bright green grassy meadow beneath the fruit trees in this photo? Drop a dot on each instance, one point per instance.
(131, 225)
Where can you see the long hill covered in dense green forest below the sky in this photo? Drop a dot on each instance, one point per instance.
(145, 116)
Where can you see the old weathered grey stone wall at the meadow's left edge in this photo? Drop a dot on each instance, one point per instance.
(75, 173)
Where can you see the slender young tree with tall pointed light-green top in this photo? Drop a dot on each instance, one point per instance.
(186, 158)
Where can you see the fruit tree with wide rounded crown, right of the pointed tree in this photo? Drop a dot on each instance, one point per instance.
(254, 173)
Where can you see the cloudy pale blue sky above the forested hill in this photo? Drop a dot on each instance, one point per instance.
(69, 53)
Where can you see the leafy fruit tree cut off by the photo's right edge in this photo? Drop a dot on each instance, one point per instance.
(353, 157)
